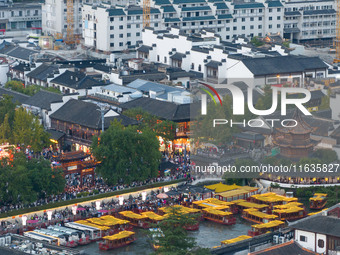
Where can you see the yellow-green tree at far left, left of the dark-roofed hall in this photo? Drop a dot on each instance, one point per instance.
(28, 131)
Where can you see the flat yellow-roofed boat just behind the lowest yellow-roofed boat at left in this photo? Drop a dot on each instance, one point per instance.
(115, 224)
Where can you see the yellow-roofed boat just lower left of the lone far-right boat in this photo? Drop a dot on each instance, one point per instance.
(290, 211)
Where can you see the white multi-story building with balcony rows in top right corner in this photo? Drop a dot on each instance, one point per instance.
(310, 21)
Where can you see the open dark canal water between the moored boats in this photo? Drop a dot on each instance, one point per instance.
(210, 234)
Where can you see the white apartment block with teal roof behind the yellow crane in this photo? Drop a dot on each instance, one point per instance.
(114, 29)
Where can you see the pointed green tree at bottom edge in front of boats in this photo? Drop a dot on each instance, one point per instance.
(174, 239)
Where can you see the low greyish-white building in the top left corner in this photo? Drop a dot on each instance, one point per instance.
(19, 16)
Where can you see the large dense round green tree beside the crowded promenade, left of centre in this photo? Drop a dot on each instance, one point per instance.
(126, 154)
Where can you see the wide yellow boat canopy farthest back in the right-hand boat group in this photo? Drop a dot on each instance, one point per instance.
(271, 199)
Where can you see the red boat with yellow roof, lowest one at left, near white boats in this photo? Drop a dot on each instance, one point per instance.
(121, 239)
